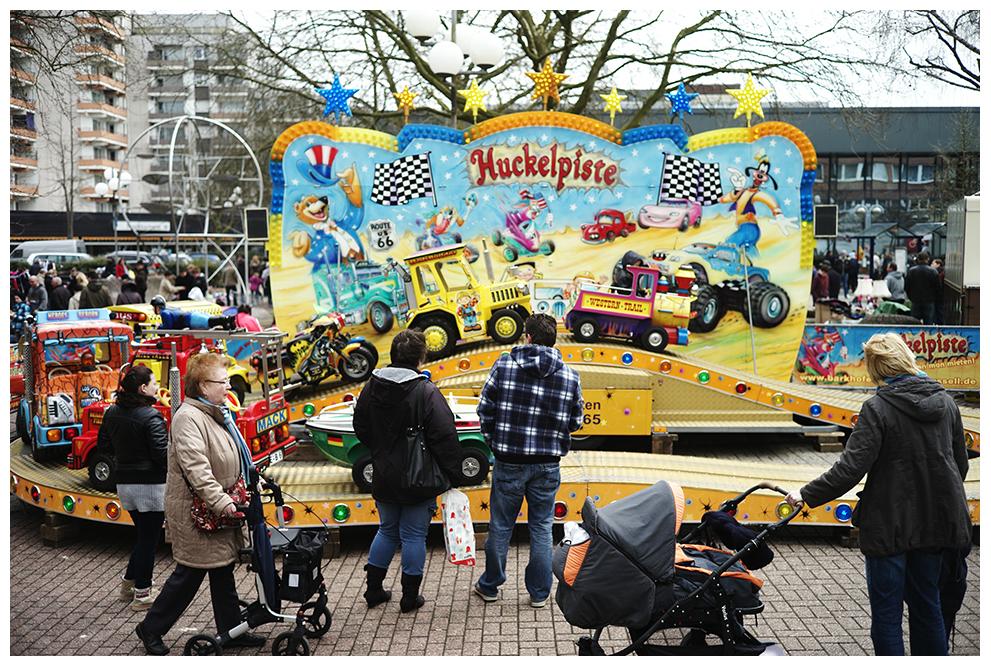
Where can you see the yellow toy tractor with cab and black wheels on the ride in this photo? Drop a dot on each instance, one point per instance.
(450, 304)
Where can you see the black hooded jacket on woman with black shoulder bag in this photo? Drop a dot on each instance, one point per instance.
(382, 415)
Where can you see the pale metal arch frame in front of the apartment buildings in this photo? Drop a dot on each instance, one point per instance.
(242, 239)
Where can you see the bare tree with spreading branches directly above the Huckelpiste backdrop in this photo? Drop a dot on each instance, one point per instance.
(646, 54)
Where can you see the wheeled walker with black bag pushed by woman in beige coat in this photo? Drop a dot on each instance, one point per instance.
(301, 551)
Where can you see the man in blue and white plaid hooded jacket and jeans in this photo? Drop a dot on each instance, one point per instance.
(529, 406)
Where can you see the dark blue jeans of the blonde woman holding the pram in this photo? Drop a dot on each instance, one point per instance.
(909, 578)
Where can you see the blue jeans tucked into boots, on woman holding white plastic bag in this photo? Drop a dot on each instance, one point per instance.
(406, 525)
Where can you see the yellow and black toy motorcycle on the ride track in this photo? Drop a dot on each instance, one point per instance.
(320, 352)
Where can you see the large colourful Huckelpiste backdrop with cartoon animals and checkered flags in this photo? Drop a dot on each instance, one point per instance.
(733, 203)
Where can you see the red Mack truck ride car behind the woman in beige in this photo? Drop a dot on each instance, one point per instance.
(264, 424)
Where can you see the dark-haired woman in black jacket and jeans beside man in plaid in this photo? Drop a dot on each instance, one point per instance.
(382, 415)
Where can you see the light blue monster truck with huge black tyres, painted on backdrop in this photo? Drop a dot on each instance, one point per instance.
(724, 275)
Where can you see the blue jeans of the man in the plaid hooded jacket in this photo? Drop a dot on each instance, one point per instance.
(511, 483)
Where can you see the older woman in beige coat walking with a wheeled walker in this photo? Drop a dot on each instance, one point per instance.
(204, 451)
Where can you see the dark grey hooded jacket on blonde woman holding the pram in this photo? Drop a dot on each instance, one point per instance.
(909, 441)
